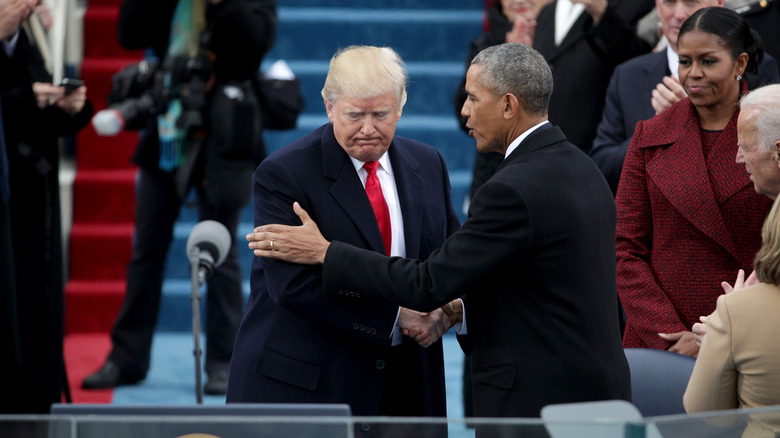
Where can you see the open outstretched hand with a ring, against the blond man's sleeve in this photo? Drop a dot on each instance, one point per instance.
(302, 244)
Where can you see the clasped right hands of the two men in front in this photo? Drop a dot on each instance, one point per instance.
(428, 327)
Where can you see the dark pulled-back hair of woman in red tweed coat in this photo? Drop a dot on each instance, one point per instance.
(732, 28)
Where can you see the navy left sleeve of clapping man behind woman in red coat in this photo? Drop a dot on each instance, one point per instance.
(611, 143)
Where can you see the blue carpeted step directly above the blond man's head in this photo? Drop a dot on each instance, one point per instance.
(416, 34)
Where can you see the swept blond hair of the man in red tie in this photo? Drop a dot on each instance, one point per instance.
(364, 72)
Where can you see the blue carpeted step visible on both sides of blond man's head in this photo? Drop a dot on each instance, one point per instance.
(431, 88)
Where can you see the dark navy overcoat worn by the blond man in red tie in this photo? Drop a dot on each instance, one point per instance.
(297, 344)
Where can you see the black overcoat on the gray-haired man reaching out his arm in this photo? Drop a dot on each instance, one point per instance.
(536, 261)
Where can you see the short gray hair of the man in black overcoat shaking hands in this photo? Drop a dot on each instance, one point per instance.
(517, 69)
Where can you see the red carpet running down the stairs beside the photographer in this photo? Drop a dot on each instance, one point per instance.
(103, 203)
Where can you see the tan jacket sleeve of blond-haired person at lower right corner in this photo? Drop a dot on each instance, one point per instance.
(713, 383)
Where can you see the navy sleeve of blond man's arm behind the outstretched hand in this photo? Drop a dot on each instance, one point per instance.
(298, 288)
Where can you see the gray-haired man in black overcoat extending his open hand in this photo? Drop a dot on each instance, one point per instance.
(535, 258)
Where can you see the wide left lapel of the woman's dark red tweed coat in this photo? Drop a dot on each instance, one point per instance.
(680, 173)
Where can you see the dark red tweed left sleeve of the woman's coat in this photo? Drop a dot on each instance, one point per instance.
(646, 305)
